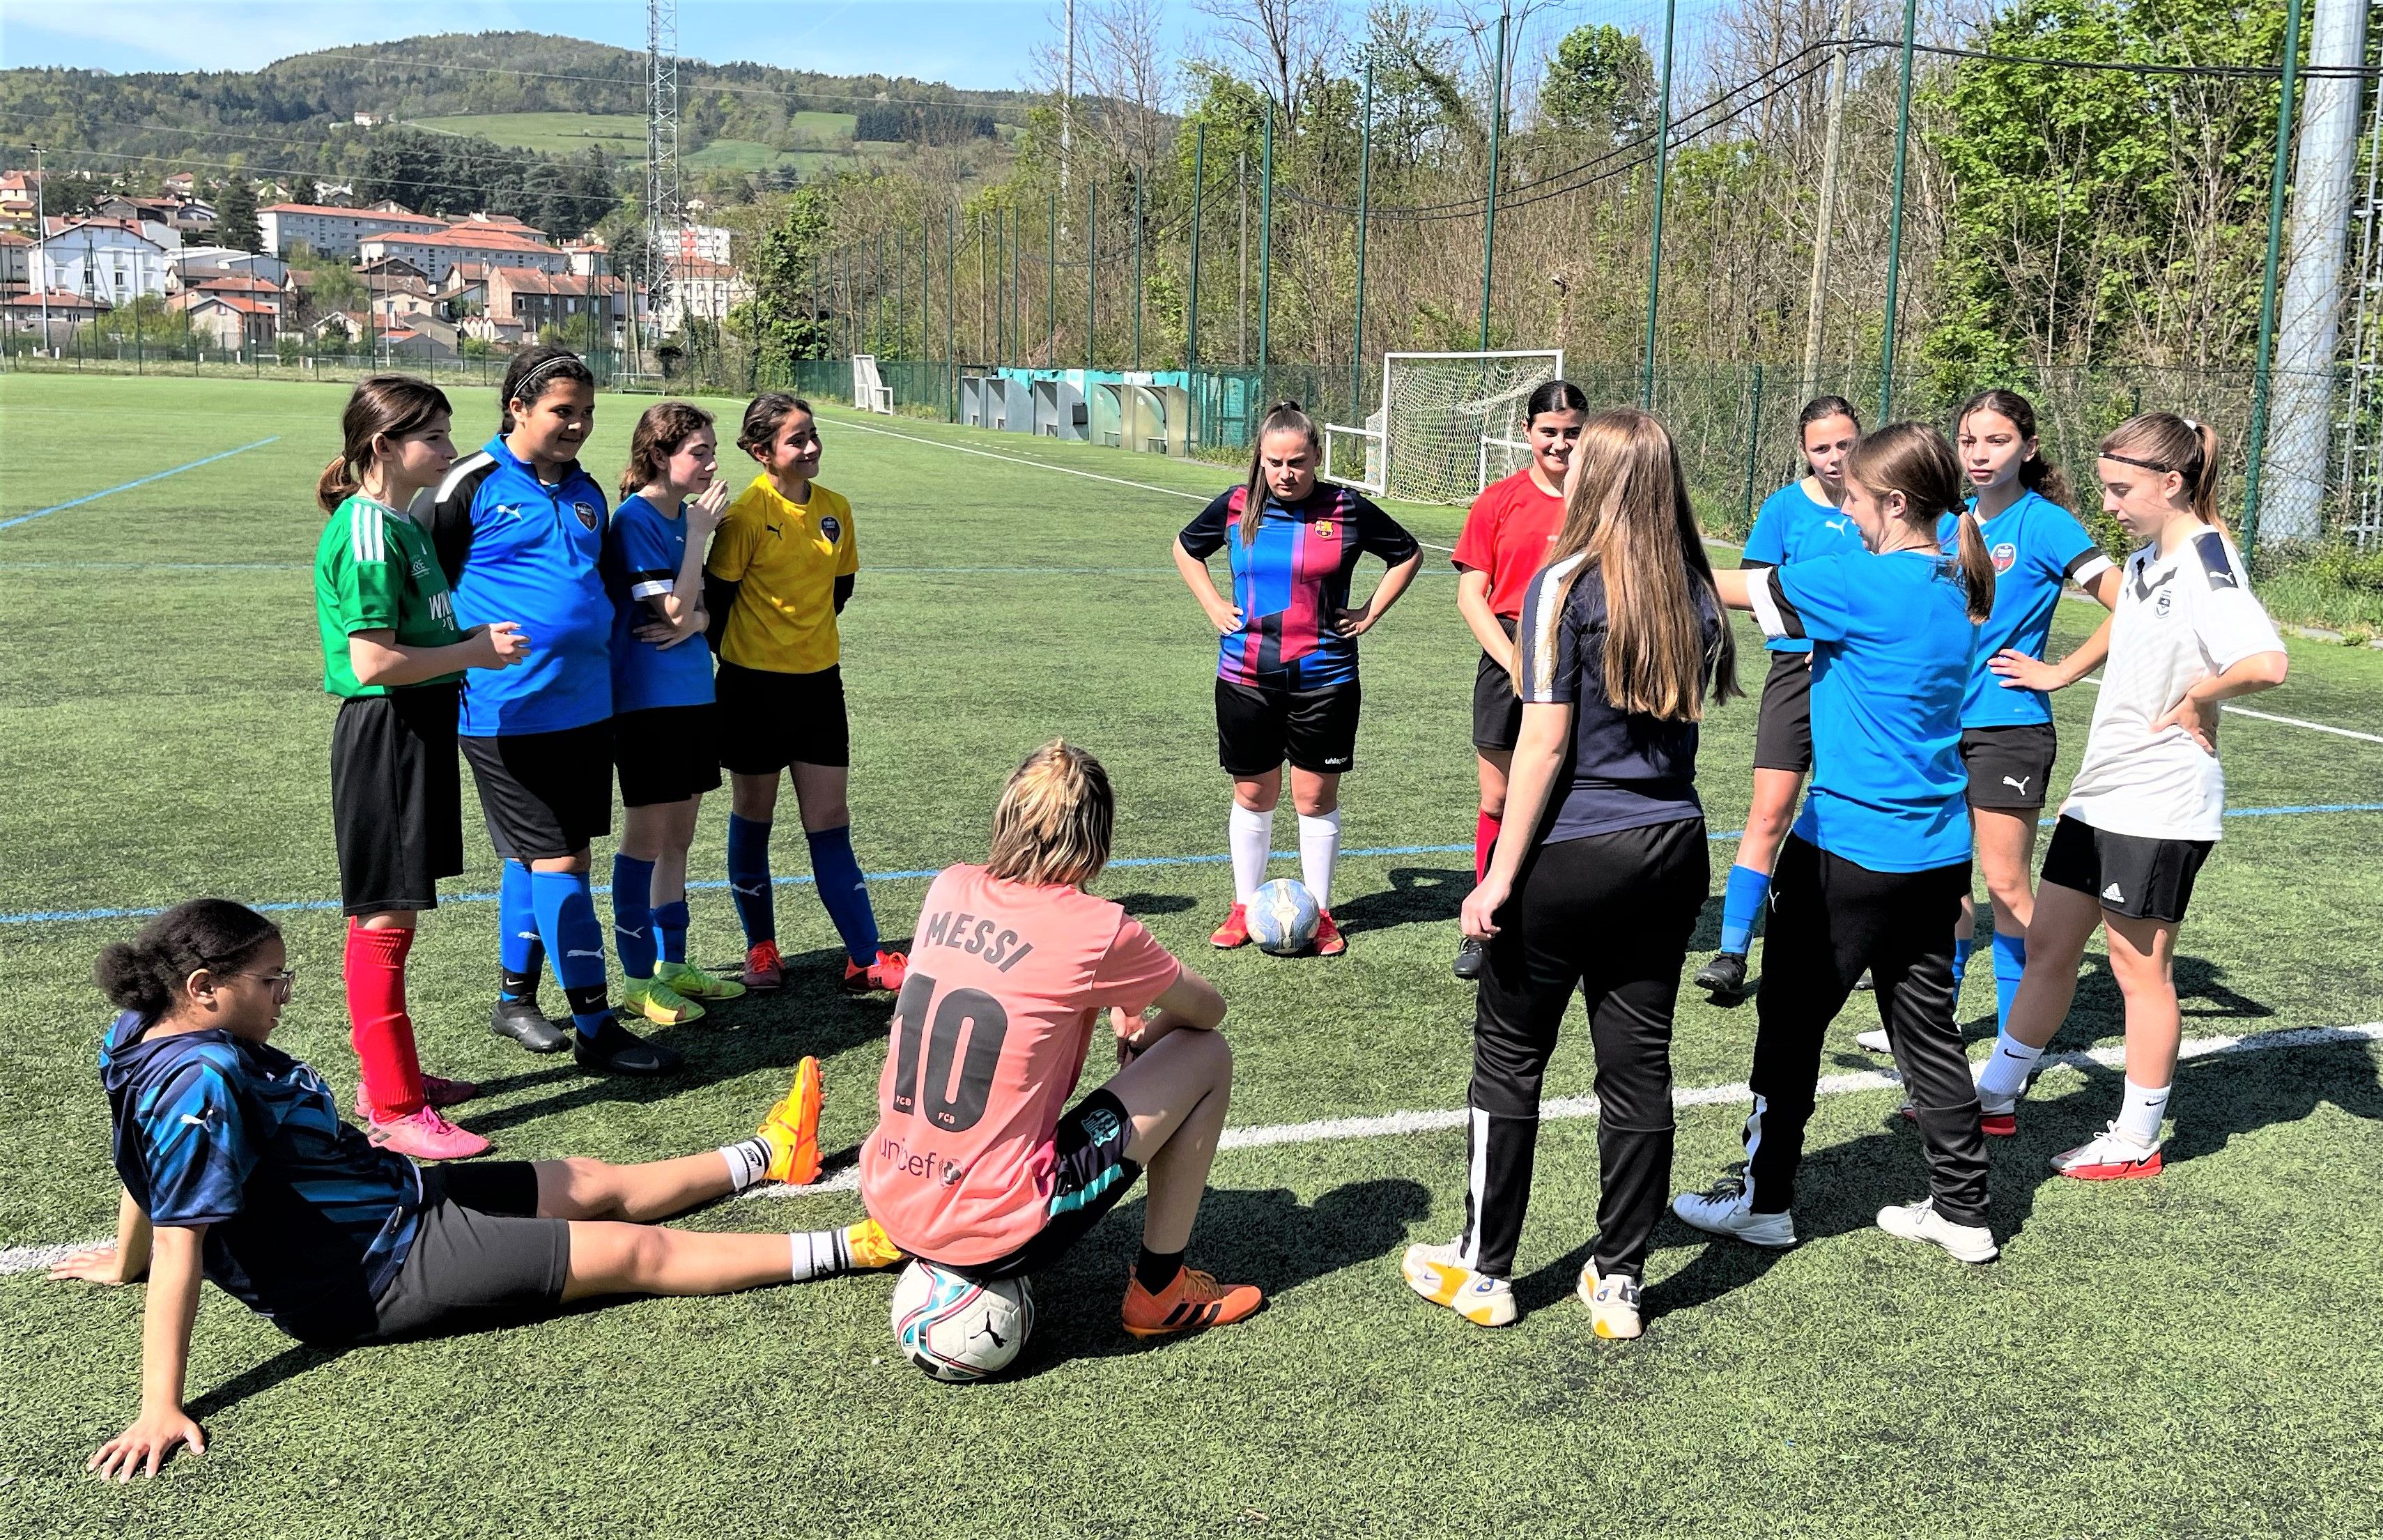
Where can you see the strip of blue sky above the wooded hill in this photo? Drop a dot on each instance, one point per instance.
(983, 44)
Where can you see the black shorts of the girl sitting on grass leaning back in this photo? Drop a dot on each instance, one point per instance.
(483, 1255)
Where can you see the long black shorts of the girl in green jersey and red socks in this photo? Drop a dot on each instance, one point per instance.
(397, 797)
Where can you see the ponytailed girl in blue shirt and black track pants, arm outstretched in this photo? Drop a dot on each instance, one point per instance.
(1879, 862)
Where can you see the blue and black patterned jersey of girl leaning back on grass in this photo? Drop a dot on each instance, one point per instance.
(306, 1219)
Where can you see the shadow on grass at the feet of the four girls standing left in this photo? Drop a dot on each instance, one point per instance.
(757, 1033)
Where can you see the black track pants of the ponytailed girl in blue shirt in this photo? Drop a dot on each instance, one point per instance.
(1829, 921)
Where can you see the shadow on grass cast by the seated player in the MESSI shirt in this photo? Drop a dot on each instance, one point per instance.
(1243, 1236)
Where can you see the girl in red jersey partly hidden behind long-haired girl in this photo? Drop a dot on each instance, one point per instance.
(1495, 557)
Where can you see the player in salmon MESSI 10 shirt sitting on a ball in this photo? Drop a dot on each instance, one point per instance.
(971, 1167)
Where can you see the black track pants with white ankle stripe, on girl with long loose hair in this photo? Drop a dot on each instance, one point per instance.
(1610, 917)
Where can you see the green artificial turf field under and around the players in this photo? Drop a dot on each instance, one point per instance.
(2189, 1355)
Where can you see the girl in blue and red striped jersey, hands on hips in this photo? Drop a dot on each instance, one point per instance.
(1286, 678)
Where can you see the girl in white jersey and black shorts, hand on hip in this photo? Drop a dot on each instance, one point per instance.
(2148, 800)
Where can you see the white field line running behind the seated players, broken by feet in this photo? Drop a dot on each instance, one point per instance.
(27, 1260)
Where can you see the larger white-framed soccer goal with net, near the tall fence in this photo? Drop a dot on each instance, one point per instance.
(1450, 423)
